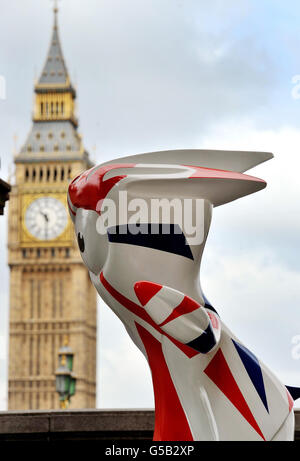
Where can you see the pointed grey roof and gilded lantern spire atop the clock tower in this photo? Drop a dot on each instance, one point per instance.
(55, 123)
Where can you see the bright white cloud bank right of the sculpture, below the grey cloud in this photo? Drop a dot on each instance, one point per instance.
(251, 269)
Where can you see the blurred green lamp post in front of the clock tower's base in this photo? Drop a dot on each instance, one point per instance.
(65, 378)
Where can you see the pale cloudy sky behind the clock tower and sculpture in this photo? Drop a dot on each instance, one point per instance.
(161, 74)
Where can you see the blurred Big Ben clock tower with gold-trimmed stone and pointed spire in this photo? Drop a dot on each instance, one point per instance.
(51, 296)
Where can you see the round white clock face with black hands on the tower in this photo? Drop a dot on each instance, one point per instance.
(46, 218)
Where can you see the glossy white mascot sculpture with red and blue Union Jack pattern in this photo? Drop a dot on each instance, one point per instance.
(207, 384)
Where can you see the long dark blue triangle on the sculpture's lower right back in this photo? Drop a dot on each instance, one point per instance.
(253, 369)
